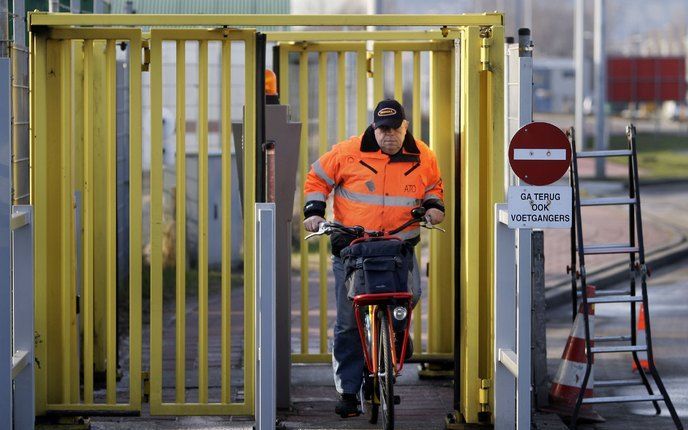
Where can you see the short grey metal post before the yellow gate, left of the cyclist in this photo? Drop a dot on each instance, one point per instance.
(265, 307)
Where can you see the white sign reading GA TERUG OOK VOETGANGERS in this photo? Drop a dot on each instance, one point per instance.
(539, 207)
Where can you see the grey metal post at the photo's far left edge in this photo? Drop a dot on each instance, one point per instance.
(5, 273)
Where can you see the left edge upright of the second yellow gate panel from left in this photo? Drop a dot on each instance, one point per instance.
(156, 224)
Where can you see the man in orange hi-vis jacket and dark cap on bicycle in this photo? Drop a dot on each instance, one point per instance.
(377, 179)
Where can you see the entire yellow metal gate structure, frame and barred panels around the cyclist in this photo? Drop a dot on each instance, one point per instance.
(73, 188)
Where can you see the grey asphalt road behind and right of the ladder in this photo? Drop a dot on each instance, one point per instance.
(668, 303)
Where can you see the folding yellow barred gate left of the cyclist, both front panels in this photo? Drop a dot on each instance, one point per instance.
(74, 178)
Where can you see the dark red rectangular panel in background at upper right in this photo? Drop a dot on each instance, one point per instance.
(646, 79)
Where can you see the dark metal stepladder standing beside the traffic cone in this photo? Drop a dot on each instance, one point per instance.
(636, 251)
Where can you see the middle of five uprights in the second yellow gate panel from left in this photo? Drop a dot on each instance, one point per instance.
(203, 221)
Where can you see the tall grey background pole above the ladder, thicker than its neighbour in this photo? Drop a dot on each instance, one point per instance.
(600, 59)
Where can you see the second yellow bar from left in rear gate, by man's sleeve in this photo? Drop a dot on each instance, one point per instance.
(303, 169)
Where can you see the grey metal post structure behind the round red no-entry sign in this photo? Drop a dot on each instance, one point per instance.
(512, 299)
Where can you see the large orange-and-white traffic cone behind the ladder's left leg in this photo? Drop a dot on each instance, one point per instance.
(569, 378)
